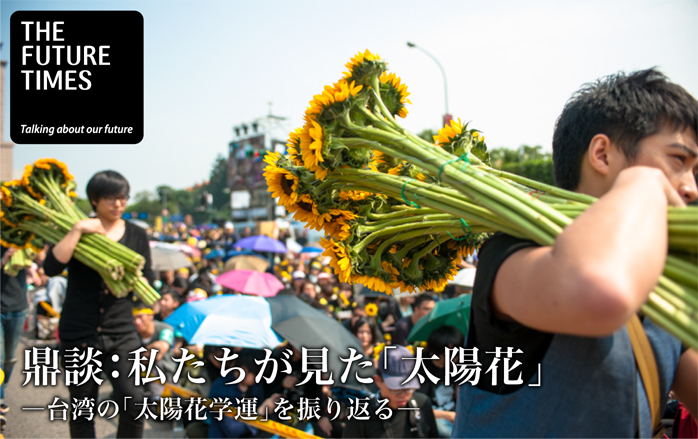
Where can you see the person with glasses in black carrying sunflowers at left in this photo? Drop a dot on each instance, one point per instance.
(92, 316)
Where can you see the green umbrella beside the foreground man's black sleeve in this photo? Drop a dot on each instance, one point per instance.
(454, 312)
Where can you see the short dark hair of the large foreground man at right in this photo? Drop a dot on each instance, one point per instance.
(626, 108)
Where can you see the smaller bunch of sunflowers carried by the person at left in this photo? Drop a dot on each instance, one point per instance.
(41, 207)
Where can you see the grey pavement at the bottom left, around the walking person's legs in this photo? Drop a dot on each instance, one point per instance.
(36, 424)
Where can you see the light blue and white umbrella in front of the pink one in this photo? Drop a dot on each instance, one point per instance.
(226, 320)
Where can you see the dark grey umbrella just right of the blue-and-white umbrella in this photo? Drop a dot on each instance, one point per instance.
(306, 327)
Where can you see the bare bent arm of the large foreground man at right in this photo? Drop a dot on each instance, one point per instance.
(600, 269)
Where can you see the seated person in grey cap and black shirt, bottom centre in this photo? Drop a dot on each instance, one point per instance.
(411, 413)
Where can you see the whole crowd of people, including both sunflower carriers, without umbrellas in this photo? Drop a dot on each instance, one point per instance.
(629, 140)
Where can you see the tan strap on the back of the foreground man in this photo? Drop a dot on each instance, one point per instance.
(647, 366)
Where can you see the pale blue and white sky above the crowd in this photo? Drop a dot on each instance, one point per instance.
(510, 68)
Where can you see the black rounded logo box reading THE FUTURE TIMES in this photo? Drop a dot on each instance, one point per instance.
(108, 96)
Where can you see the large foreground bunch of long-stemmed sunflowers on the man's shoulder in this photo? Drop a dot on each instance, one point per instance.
(400, 212)
